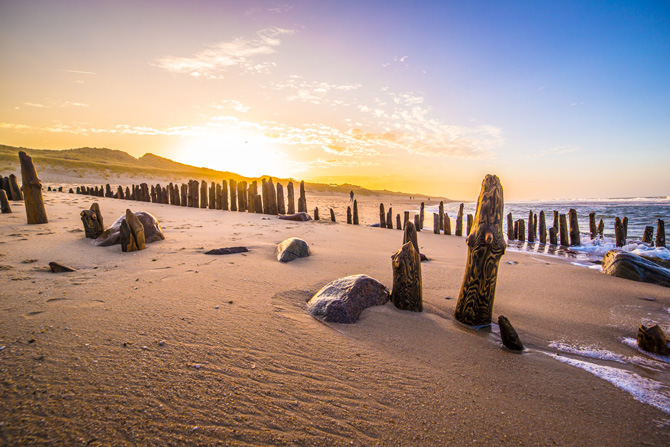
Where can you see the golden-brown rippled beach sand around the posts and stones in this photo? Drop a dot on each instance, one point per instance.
(169, 346)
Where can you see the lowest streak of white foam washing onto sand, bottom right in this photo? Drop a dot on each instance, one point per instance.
(647, 391)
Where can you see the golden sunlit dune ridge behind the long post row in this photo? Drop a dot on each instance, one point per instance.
(108, 162)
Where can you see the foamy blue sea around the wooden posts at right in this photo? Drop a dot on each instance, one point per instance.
(641, 212)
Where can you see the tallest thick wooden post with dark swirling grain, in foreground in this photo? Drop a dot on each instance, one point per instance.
(486, 245)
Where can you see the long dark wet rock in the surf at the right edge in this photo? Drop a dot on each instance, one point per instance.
(636, 268)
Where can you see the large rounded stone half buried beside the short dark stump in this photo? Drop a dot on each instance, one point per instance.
(343, 300)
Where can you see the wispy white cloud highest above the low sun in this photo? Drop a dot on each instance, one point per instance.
(241, 53)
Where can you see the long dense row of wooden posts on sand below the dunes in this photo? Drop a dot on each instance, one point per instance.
(226, 195)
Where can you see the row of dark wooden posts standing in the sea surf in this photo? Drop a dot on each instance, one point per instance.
(559, 233)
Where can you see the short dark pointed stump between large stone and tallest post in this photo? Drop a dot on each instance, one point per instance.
(406, 293)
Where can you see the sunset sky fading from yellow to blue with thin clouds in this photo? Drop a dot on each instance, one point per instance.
(560, 99)
